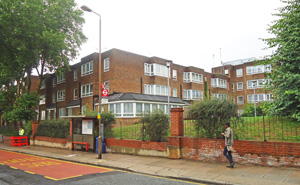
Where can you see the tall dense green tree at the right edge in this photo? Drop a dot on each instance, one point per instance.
(285, 75)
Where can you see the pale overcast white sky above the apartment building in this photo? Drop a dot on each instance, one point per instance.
(197, 33)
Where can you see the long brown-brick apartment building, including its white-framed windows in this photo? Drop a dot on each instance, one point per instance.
(139, 84)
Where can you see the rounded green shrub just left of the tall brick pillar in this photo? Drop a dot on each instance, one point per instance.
(157, 125)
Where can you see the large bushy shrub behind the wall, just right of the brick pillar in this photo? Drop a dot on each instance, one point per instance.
(210, 116)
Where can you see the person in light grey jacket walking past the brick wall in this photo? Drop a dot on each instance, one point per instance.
(228, 144)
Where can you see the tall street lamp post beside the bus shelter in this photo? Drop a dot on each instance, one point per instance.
(87, 9)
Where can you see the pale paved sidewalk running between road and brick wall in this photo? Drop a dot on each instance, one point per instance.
(210, 173)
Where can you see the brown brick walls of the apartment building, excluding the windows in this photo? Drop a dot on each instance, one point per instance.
(126, 74)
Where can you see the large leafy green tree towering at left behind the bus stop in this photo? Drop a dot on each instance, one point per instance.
(43, 35)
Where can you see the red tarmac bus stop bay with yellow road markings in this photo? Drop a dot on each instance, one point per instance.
(50, 168)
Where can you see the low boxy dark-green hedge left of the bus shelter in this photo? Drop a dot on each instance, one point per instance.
(53, 128)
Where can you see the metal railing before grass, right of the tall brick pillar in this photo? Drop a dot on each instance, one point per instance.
(261, 128)
